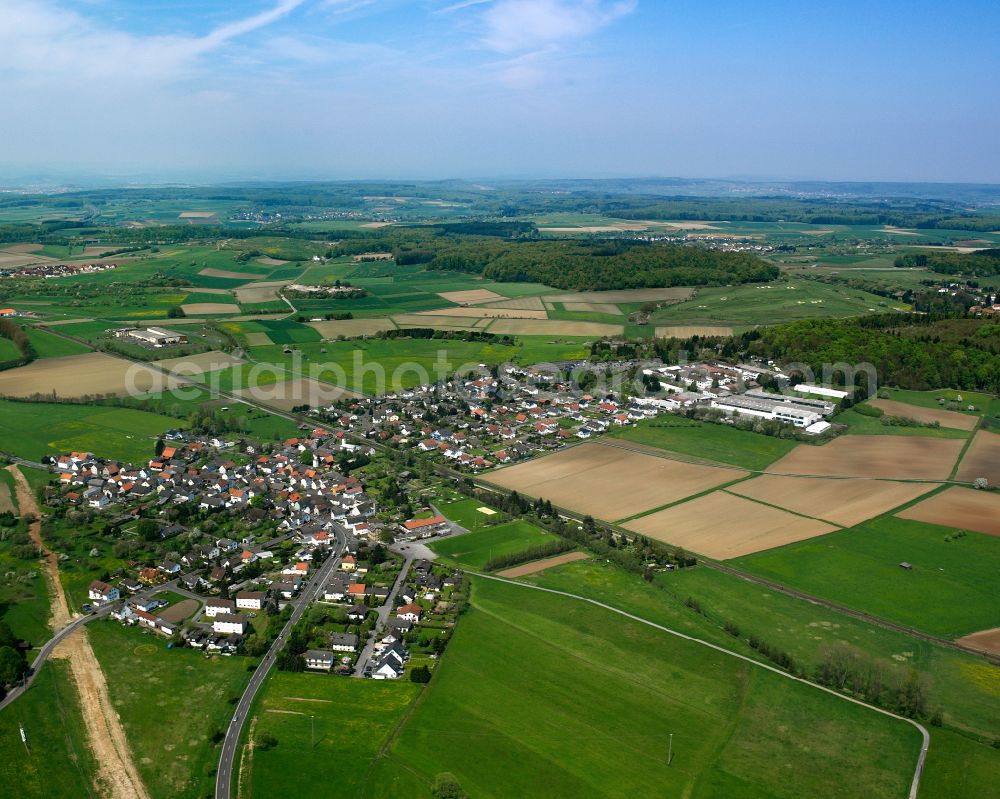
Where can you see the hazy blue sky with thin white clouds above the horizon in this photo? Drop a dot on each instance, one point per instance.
(502, 88)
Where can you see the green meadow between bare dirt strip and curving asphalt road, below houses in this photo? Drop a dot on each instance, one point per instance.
(169, 701)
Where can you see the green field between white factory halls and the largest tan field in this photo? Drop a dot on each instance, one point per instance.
(712, 442)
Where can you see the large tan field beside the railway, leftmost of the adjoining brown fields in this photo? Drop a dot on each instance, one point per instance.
(610, 483)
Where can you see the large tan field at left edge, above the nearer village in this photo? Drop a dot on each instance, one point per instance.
(80, 375)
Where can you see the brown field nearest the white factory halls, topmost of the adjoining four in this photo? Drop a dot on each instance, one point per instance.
(889, 457)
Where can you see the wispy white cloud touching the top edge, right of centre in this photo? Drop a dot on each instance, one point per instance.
(519, 25)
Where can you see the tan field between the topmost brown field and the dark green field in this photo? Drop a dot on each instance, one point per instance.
(844, 502)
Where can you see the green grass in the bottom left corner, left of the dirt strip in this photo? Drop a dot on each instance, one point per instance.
(56, 761)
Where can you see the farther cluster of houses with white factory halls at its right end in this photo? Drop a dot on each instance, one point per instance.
(474, 425)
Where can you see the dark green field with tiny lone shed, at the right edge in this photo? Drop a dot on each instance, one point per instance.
(951, 590)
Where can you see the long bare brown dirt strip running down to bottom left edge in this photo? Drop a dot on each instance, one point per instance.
(117, 776)
